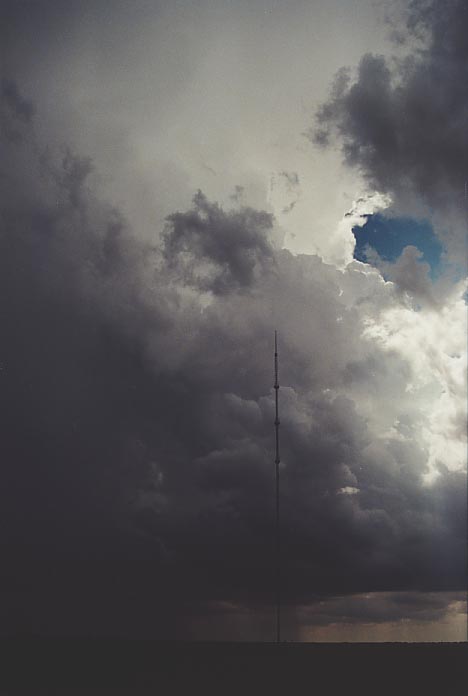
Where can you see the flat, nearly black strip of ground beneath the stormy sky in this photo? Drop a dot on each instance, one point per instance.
(79, 667)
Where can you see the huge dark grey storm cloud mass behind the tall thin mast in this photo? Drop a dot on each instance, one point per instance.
(137, 418)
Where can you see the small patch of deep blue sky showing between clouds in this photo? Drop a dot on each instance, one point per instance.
(389, 236)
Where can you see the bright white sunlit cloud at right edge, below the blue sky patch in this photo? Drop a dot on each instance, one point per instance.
(433, 346)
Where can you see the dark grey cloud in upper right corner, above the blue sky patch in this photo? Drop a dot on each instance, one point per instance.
(403, 122)
